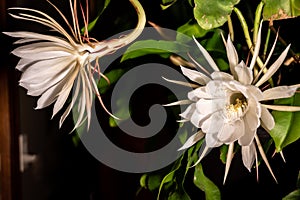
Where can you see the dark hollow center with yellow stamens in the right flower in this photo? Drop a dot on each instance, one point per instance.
(236, 108)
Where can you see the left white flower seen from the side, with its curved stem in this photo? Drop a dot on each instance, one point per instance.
(53, 65)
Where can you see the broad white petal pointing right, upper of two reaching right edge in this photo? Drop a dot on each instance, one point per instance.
(279, 92)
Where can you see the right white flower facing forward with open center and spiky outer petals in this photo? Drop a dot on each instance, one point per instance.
(230, 107)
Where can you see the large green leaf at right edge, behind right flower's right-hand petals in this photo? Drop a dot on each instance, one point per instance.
(287, 124)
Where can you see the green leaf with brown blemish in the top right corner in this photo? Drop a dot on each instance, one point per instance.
(281, 9)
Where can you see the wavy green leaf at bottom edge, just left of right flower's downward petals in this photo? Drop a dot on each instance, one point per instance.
(207, 186)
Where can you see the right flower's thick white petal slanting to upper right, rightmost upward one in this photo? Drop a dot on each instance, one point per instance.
(274, 67)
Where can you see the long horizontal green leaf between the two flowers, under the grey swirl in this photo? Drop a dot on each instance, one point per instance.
(160, 47)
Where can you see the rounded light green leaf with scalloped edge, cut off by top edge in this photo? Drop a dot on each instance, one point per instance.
(213, 13)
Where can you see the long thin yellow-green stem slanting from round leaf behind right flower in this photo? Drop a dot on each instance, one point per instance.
(248, 40)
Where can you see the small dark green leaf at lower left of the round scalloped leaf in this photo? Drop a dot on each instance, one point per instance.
(191, 28)
